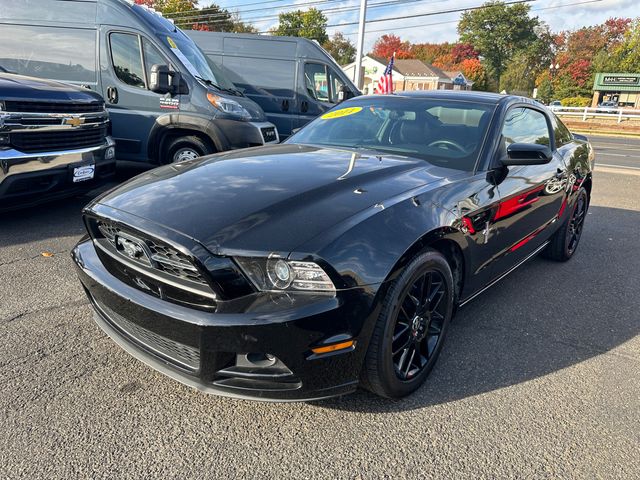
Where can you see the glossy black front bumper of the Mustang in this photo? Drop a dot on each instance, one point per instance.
(209, 350)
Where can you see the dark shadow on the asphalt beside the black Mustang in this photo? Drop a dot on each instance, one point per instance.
(544, 317)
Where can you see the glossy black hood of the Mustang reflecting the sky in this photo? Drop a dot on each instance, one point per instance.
(268, 199)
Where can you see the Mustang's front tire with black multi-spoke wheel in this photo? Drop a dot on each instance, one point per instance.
(411, 328)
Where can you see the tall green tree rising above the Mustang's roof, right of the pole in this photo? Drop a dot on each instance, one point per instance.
(498, 32)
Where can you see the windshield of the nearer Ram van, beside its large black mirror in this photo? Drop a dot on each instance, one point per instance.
(196, 62)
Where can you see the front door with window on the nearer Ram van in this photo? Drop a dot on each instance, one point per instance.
(126, 58)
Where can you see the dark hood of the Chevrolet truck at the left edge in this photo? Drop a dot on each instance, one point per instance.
(19, 87)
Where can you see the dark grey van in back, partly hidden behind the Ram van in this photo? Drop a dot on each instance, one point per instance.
(293, 79)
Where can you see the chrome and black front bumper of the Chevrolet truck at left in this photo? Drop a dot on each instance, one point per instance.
(31, 178)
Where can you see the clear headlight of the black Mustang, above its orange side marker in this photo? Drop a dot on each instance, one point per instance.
(269, 274)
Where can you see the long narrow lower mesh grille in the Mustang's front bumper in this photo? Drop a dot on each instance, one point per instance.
(176, 352)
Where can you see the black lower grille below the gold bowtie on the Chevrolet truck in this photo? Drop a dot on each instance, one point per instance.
(38, 141)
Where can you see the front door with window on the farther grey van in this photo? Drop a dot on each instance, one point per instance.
(319, 91)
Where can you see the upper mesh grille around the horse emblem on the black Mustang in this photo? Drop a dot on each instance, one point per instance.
(162, 257)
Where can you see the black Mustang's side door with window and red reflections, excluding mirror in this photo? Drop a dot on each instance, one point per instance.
(531, 196)
